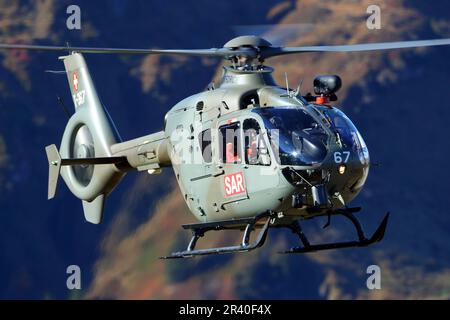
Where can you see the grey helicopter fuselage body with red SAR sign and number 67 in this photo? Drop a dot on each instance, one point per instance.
(216, 190)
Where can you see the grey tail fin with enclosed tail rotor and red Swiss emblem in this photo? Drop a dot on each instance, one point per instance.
(84, 159)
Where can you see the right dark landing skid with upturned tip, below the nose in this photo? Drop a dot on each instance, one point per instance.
(361, 242)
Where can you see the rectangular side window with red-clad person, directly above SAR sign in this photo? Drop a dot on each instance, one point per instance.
(230, 143)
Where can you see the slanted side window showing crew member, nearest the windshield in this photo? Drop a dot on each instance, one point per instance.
(256, 152)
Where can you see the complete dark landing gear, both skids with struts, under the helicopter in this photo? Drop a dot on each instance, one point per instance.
(263, 222)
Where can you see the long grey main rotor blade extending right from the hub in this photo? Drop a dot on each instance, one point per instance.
(271, 52)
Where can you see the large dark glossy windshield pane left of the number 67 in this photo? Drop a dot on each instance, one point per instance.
(296, 137)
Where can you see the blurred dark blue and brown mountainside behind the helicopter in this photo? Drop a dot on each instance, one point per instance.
(397, 99)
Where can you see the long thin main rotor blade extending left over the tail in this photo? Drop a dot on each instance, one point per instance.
(213, 52)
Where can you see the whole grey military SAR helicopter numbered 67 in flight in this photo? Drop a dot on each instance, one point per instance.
(247, 154)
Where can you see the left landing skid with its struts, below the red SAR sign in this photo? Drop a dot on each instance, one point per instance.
(247, 224)
